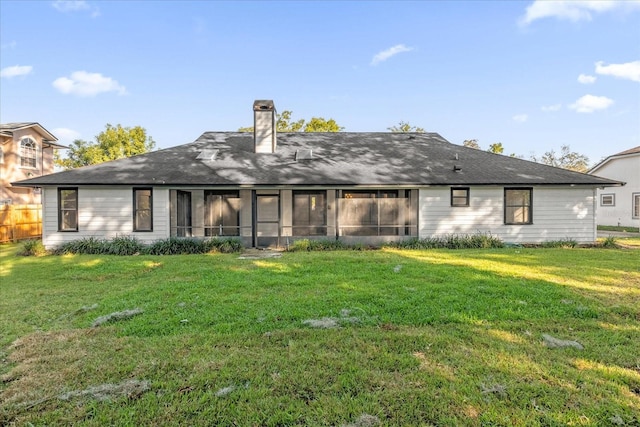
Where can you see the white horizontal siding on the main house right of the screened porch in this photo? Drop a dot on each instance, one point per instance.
(558, 213)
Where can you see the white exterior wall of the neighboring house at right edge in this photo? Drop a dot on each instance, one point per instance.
(625, 169)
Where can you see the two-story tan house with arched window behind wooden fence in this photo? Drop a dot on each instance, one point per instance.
(26, 151)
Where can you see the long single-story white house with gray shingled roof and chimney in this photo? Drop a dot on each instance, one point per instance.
(269, 189)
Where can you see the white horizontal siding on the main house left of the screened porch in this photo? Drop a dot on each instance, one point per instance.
(104, 213)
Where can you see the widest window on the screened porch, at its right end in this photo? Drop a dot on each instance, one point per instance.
(371, 213)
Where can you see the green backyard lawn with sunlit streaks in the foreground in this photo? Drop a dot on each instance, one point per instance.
(435, 337)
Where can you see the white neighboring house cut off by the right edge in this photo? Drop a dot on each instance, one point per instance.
(620, 206)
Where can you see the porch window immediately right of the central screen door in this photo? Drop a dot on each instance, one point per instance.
(309, 213)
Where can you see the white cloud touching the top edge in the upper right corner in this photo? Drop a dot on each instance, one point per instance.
(574, 10)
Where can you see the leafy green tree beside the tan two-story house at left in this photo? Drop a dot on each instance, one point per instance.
(115, 142)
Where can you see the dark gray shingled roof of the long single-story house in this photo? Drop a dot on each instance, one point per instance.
(338, 159)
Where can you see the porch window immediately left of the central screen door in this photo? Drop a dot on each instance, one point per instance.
(221, 213)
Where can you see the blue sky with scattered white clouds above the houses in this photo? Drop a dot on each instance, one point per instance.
(533, 75)
